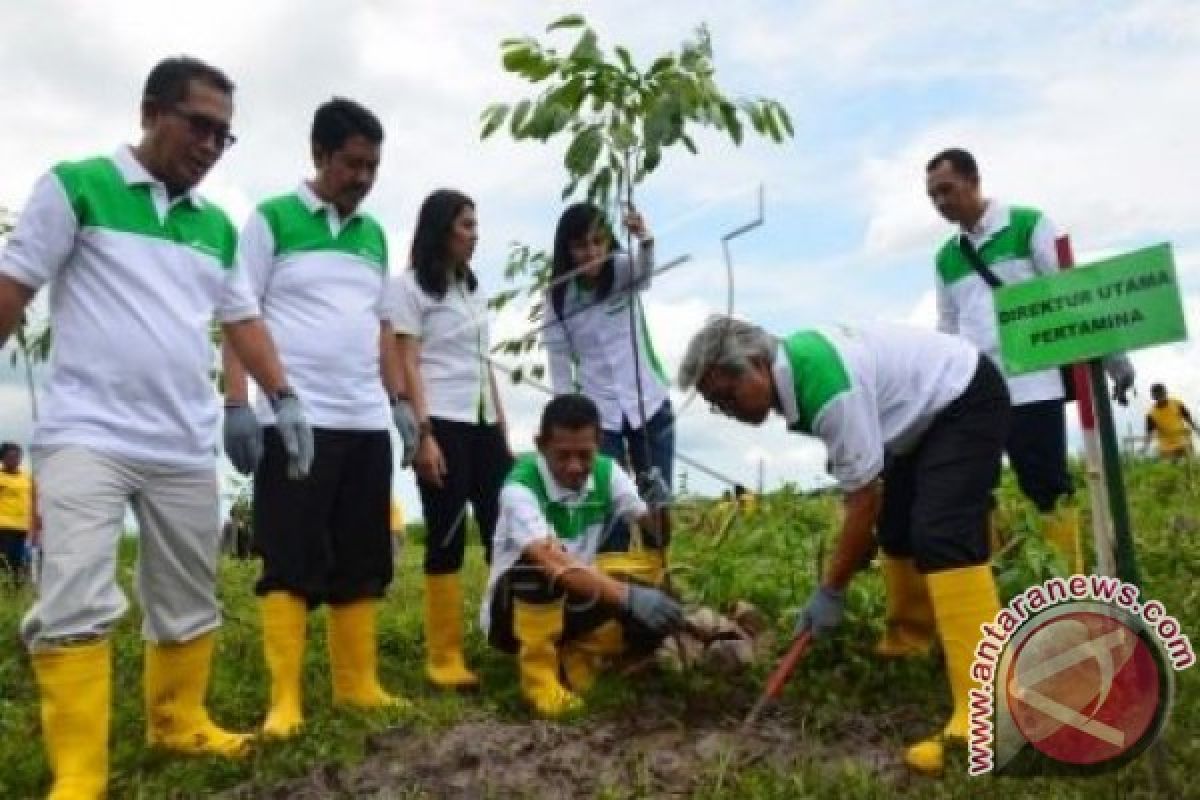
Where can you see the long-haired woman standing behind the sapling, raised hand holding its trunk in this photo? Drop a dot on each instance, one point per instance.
(598, 345)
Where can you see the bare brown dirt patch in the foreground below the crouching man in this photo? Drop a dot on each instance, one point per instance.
(646, 756)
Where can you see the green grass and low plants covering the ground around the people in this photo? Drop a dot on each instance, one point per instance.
(769, 560)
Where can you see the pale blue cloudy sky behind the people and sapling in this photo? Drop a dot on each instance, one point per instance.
(1085, 110)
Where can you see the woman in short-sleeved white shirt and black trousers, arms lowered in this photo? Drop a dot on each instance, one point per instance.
(441, 321)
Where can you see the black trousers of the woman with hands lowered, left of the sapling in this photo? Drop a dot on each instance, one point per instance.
(478, 461)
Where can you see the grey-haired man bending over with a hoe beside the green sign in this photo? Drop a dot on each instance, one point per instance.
(915, 424)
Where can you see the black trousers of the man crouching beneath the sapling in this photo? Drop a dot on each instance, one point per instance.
(529, 584)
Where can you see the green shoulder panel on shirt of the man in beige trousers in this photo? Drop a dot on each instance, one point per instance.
(101, 200)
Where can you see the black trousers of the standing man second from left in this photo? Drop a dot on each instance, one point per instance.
(328, 537)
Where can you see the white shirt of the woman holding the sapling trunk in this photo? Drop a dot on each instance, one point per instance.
(591, 348)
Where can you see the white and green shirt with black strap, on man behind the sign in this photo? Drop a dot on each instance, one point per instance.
(1017, 244)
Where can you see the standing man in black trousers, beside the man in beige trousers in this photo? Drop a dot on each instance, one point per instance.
(319, 266)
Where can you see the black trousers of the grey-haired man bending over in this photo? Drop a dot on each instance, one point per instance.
(938, 497)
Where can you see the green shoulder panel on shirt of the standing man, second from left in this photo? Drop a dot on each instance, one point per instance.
(297, 230)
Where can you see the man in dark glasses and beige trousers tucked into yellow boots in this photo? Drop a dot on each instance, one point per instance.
(139, 267)
